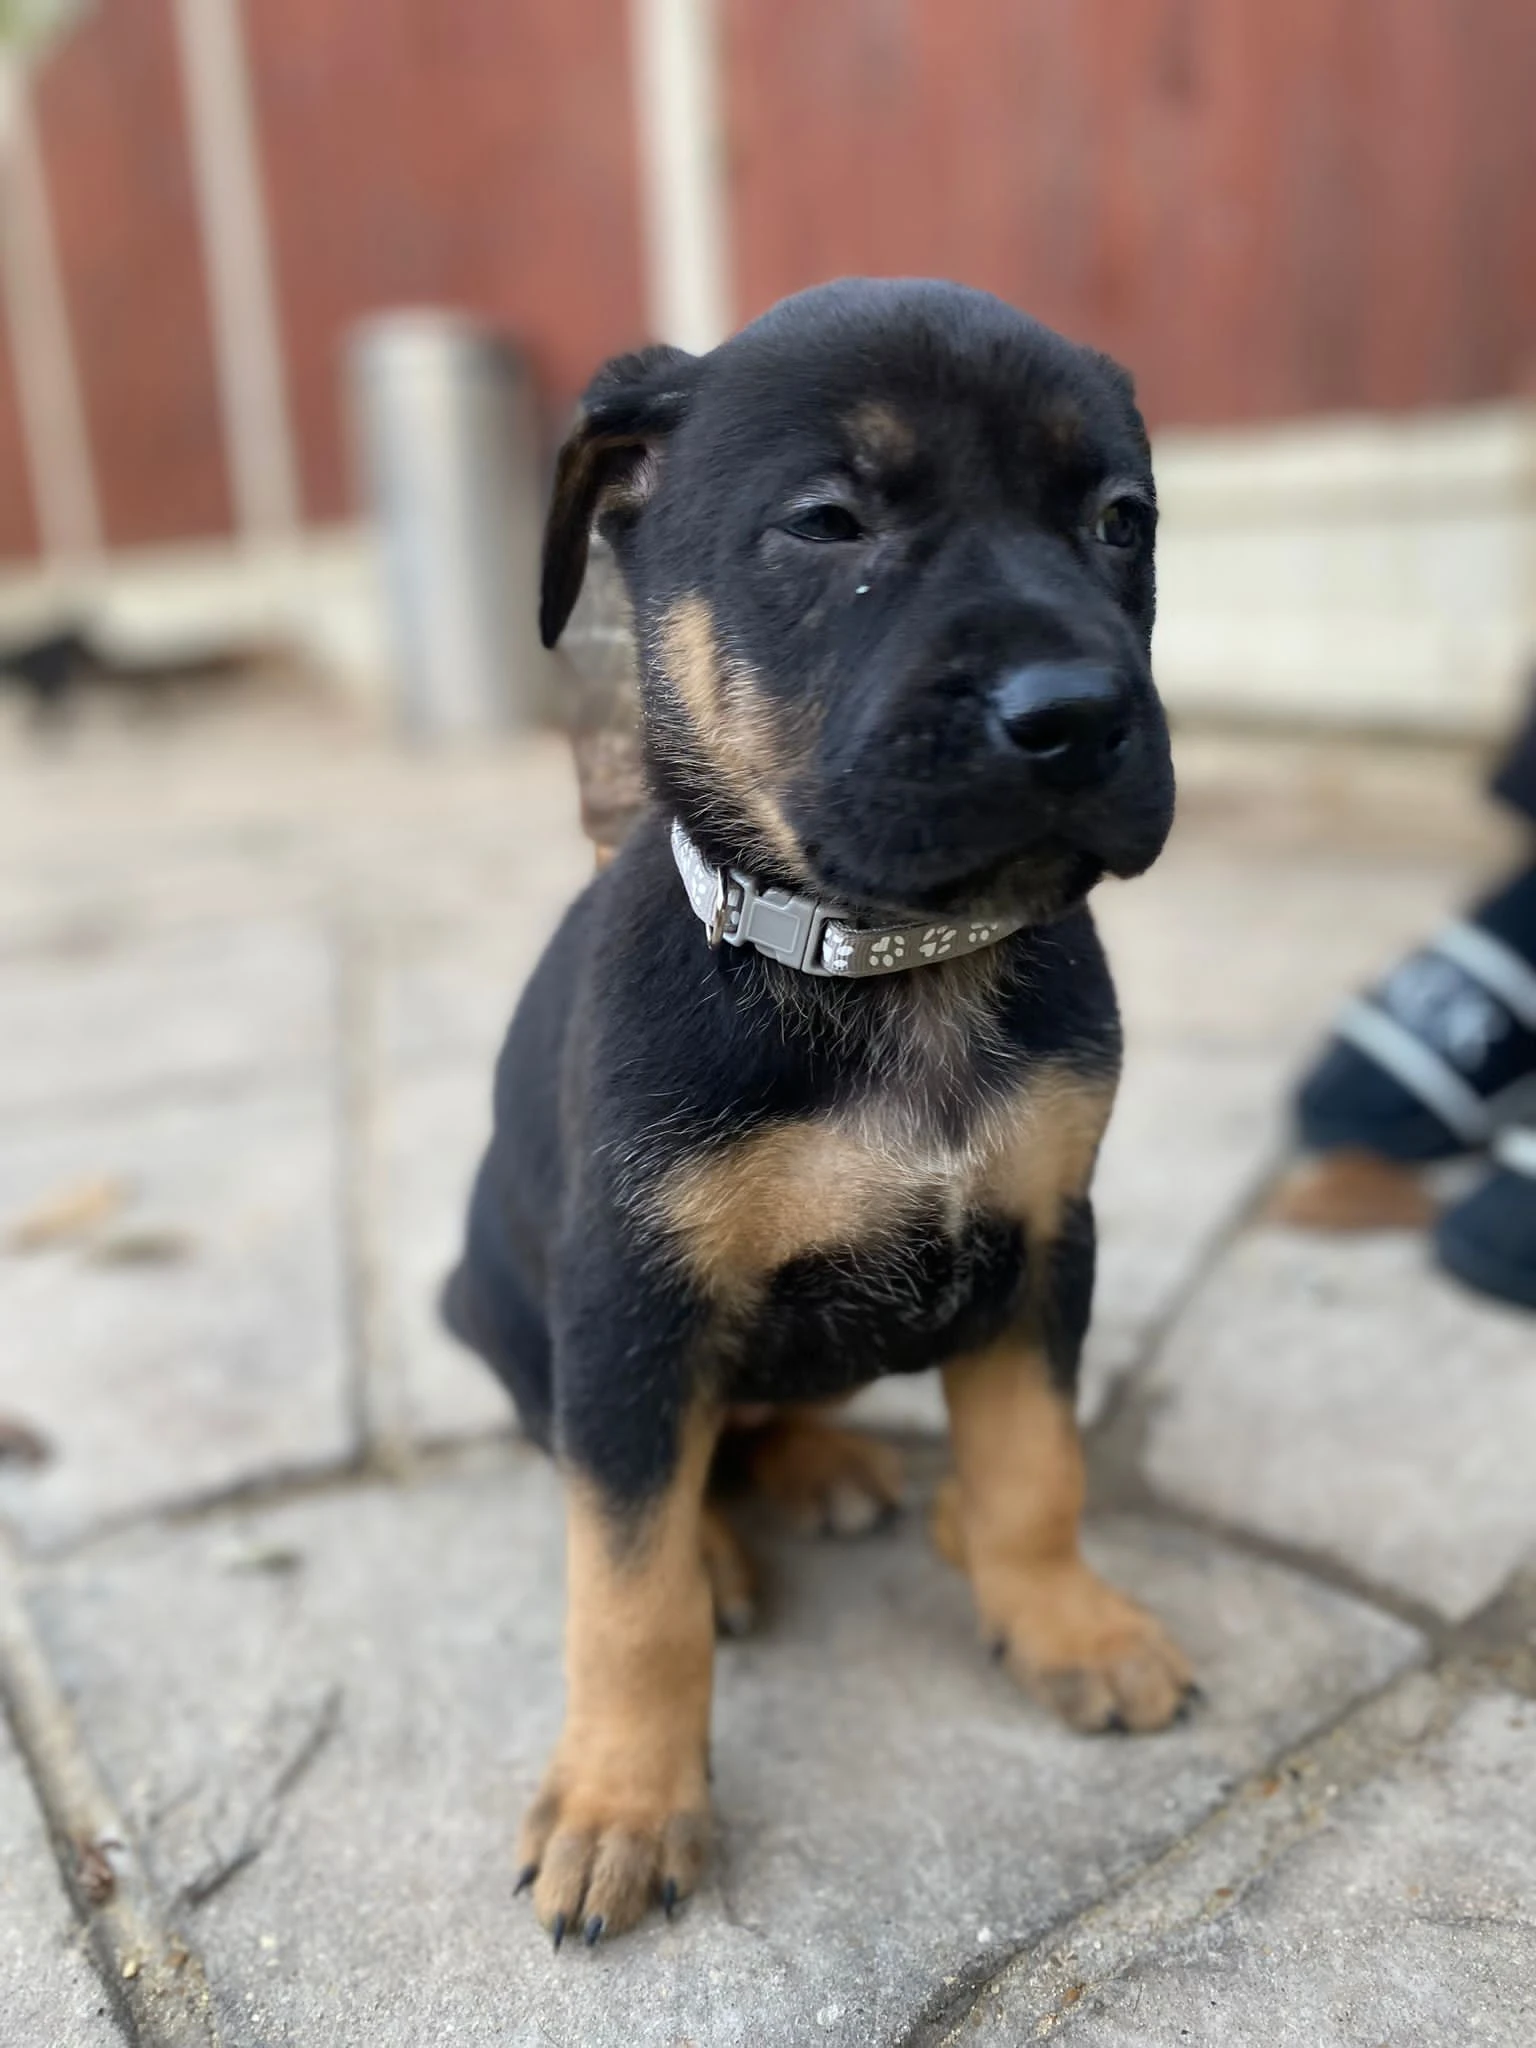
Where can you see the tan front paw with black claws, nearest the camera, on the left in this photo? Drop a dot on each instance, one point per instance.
(599, 1854)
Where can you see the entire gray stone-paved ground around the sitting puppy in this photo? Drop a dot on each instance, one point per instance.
(282, 1586)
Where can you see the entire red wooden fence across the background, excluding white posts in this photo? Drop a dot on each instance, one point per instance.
(1263, 208)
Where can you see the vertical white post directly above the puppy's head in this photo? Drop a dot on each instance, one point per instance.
(683, 171)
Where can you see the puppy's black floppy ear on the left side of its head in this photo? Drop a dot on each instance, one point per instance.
(605, 464)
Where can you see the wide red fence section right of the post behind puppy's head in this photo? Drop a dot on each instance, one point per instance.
(1263, 208)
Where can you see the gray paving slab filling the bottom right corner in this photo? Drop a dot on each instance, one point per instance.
(1406, 1920)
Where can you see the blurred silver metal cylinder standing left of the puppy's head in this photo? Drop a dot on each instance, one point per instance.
(450, 445)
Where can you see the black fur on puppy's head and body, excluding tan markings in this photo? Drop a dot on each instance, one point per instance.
(873, 656)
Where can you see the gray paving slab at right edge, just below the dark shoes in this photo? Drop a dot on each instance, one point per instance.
(1347, 1398)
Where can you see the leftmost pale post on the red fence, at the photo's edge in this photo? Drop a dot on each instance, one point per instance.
(48, 378)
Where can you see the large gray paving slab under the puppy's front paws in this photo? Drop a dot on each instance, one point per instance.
(890, 1809)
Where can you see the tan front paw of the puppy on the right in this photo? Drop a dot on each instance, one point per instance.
(1093, 1656)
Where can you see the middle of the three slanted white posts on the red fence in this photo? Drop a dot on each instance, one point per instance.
(247, 341)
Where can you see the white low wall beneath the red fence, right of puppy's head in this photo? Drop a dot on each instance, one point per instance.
(1371, 572)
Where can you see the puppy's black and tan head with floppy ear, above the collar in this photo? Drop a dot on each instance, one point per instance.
(892, 564)
